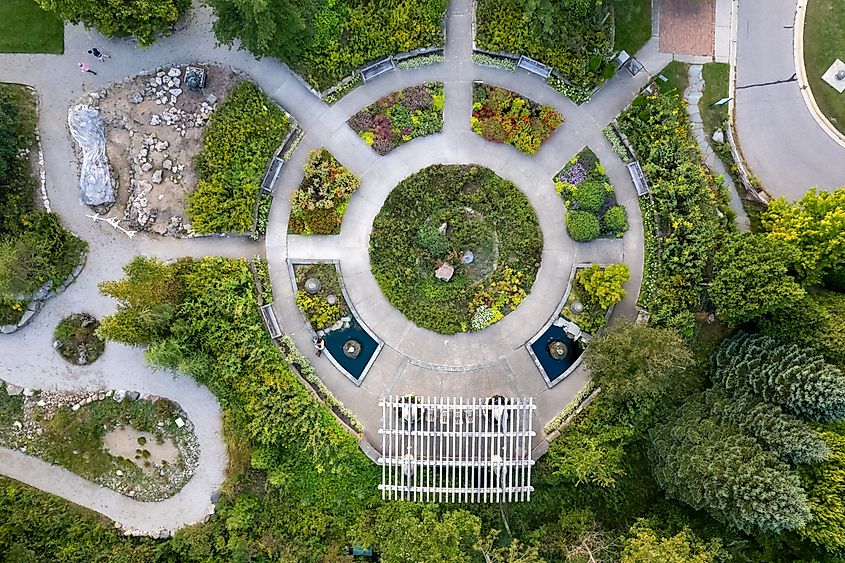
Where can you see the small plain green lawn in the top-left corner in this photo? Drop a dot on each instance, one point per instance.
(26, 28)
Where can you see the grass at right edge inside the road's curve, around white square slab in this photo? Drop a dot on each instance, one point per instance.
(824, 42)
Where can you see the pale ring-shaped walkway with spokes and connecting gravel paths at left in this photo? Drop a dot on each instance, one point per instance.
(28, 359)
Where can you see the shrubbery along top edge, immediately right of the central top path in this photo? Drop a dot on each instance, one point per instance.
(572, 36)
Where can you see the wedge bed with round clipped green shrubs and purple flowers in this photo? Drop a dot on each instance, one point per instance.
(590, 199)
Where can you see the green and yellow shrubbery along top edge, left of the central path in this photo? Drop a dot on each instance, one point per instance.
(326, 40)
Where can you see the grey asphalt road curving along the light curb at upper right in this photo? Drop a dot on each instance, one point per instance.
(784, 146)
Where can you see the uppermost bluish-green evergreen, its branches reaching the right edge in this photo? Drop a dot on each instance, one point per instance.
(792, 376)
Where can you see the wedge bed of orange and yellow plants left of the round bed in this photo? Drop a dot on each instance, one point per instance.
(318, 204)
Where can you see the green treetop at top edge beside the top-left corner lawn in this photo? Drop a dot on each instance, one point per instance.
(142, 18)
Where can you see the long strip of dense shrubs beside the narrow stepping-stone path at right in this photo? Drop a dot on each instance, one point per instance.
(686, 206)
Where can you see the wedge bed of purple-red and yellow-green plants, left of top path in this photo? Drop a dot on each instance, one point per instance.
(399, 117)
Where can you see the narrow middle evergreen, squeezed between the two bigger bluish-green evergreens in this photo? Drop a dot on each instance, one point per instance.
(792, 439)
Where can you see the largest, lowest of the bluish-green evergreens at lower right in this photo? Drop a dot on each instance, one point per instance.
(712, 466)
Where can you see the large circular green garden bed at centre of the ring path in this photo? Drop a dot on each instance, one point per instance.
(464, 224)
